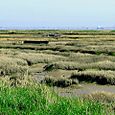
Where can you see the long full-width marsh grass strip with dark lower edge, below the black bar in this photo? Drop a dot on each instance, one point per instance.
(86, 48)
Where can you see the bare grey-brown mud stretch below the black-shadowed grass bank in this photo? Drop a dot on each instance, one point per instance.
(84, 89)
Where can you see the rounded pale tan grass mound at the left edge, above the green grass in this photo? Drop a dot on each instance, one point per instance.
(12, 66)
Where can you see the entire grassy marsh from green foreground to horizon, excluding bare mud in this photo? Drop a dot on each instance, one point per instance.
(90, 54)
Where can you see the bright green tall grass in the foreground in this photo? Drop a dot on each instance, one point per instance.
(40, 100)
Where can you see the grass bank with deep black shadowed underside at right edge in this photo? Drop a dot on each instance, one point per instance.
(100, 77)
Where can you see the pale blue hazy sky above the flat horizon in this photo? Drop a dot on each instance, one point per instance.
(57, 13)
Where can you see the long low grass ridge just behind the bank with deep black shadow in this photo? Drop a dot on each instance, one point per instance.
(102, 65)
